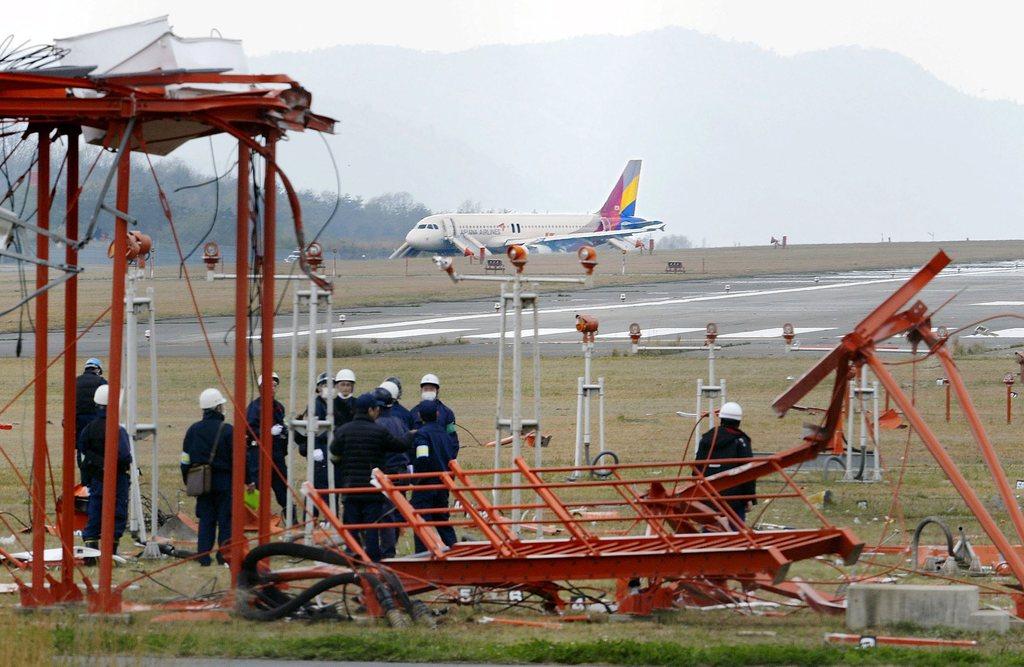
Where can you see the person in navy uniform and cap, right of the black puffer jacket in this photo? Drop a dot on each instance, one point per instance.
(431, 451)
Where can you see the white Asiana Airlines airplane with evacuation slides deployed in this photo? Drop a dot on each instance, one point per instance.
(482, 234)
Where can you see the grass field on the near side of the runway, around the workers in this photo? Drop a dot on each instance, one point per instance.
(643, 398)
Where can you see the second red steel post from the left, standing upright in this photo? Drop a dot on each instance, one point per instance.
(69, 591)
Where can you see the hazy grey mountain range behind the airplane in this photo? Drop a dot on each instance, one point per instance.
(739, 143)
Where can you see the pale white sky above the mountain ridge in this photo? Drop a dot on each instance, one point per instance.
(975, 47)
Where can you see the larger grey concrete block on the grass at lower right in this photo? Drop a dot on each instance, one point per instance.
(879, 605)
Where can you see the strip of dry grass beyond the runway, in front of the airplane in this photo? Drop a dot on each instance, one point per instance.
(374, 283)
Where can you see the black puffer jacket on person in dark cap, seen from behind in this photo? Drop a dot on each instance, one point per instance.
(361, 446)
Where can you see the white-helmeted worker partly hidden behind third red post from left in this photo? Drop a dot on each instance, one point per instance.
(92, 448)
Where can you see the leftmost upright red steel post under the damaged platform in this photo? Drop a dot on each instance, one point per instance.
(40, 449)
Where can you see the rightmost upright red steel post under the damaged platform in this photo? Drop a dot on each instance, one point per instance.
(267, 339)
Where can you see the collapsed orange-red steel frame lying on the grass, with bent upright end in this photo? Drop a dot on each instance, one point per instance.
(686, 541)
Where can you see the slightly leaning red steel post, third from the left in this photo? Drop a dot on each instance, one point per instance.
(108, 601)
